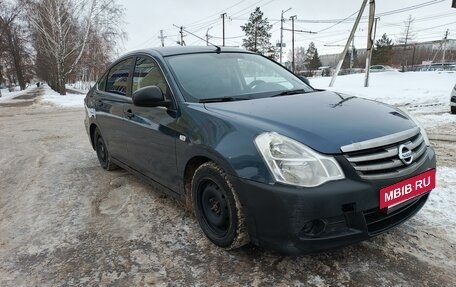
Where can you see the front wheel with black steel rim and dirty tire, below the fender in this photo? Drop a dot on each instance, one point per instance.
(217, 207)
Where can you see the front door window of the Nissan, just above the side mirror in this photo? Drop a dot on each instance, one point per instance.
(148, 73)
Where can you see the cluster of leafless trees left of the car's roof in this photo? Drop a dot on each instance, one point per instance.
(57, 40)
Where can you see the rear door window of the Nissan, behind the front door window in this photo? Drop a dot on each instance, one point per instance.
(118, 78)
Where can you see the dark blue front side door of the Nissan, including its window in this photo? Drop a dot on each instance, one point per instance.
(151, 136)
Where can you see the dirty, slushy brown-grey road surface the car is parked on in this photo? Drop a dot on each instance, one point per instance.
(64, 221)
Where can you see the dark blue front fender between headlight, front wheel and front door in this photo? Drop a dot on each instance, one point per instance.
(223, 140)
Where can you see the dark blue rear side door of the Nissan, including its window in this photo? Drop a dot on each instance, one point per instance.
(112, 94)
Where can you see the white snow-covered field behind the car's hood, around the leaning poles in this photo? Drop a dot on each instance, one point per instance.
(395, 88)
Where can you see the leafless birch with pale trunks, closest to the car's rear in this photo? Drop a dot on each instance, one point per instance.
(63, 29)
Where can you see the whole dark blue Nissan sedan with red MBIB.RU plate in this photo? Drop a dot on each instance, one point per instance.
(255, 152)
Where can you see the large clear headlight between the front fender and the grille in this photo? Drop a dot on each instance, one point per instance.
(293, 163)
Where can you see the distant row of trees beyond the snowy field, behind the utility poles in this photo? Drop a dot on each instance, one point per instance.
(404, 51)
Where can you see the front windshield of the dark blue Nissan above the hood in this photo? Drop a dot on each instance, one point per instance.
(231, 75)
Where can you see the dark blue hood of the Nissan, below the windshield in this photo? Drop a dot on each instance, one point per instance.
(322, 120)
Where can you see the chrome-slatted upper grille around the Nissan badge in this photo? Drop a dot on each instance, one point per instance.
(379, 158)
